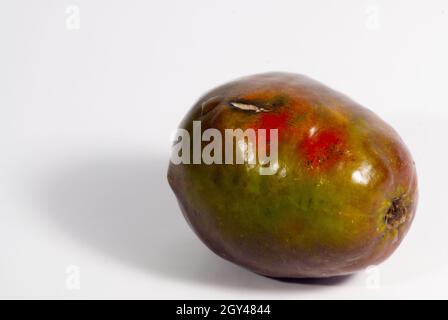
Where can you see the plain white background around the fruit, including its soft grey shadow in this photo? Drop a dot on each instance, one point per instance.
(86, 116)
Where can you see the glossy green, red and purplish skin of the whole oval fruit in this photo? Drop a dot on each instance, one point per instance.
(344, 195)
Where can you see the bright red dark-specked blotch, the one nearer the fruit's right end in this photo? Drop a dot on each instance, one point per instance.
(323, 149)
